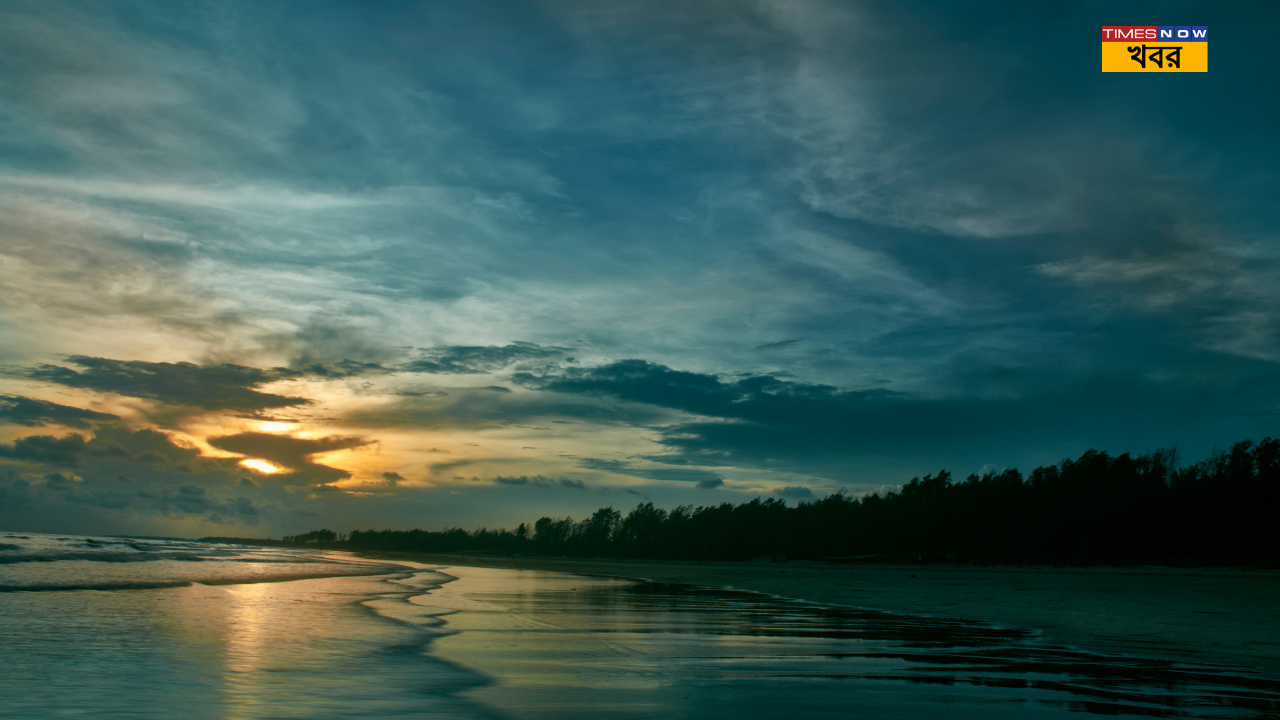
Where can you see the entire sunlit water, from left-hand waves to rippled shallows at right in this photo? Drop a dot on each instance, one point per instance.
(124, 628)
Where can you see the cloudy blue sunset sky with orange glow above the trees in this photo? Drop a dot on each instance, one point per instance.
(273, 267)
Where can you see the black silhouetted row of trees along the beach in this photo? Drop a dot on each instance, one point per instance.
(1096, 509)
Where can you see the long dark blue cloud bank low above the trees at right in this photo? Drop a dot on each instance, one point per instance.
(762, 421)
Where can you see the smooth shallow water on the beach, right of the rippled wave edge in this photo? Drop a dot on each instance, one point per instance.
(568, 646)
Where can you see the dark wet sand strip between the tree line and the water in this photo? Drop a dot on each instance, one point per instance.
(1204, 616)
